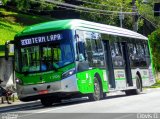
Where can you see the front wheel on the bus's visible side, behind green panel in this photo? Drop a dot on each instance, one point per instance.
(97, 91)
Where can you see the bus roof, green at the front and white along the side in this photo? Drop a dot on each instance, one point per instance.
(81, 25)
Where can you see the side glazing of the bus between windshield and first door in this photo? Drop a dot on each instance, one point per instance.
(90, 47)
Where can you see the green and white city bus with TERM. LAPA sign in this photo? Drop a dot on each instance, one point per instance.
(71, 58)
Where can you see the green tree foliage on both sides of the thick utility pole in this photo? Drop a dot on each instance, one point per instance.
(117, 5)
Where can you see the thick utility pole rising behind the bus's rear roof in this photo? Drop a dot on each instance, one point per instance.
(135, 23)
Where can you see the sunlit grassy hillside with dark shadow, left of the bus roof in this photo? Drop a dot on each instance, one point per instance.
(13, 22)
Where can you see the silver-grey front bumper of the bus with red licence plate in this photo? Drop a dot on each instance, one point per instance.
(33, 92)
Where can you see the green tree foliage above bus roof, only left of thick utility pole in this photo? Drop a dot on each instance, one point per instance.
(111, 18)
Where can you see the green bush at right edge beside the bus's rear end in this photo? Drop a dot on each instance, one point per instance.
(155, 48)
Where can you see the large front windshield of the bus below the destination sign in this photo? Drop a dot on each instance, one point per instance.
(45, 57)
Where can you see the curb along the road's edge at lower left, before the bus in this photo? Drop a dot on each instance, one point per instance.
(18, 106)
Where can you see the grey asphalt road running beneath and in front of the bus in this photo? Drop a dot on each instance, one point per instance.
(145, 105)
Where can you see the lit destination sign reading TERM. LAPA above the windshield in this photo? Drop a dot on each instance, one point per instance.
(41, 39)
